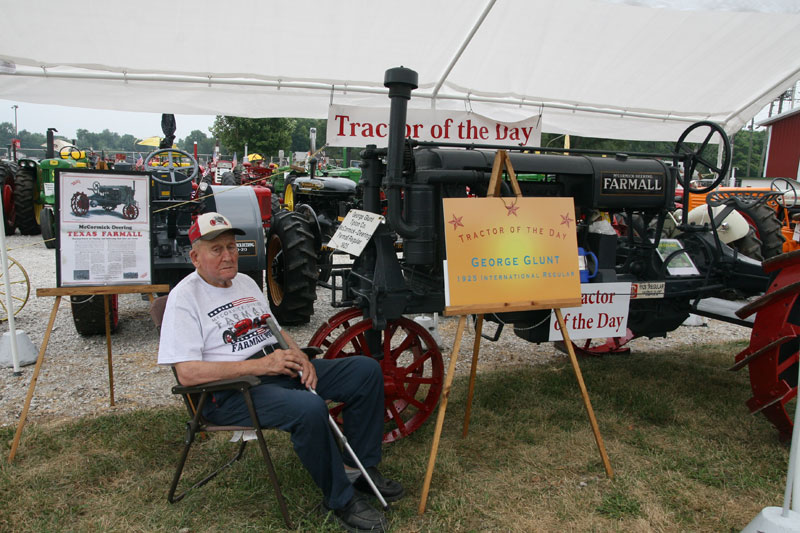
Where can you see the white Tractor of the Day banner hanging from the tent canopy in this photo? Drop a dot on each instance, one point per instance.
(360, 126)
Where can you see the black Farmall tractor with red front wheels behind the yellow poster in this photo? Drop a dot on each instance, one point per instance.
(401, 270)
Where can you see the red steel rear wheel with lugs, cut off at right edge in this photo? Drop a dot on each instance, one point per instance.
(772, 355)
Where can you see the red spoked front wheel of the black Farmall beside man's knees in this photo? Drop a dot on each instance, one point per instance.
(413, 372)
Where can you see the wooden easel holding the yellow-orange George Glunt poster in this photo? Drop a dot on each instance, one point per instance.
(501, 162)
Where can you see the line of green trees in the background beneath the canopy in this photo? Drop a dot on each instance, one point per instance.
(267, 136)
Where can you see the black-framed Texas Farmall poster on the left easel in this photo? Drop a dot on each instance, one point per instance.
(102, 228)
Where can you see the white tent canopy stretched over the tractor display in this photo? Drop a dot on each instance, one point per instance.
(631, 69)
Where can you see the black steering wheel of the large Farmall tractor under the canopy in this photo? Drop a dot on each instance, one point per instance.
(701, 157)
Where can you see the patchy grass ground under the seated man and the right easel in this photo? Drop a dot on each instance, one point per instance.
(687, 455)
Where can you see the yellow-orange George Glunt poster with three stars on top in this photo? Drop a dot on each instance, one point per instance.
(510, 254)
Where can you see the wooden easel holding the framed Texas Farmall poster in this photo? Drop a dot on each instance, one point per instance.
(105, 291)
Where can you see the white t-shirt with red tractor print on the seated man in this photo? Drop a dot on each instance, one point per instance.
(206, 323)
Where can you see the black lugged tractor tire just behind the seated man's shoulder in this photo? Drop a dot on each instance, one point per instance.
(291, 268)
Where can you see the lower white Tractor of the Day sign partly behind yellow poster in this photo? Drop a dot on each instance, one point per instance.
(603, 313)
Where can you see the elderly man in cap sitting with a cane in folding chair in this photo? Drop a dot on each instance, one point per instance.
(198, 338)
